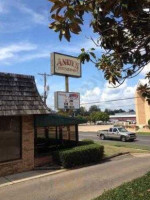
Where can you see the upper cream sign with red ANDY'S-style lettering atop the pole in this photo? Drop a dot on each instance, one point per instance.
(65, 65)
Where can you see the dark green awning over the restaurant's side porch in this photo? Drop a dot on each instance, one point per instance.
(56, 120)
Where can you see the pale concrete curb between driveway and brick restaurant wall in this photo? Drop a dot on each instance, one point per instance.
(32, 178)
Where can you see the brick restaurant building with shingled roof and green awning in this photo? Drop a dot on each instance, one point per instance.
(27, 125)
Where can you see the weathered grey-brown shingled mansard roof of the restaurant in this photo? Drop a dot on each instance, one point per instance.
(19, 96)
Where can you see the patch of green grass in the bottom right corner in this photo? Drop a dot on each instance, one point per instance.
(134, 190)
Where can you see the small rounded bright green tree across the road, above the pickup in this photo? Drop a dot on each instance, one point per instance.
(99, 116)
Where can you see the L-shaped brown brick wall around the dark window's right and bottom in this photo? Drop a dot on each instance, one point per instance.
(27, 161)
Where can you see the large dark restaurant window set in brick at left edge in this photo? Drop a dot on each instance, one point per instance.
(10, 138)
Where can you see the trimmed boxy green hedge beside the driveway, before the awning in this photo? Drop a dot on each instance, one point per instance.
(80, 155)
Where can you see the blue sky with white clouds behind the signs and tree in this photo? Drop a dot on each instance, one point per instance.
(26, 43)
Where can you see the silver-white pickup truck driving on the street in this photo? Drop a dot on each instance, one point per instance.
(119, 133)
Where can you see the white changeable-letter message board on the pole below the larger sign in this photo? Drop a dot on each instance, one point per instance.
(67, 100)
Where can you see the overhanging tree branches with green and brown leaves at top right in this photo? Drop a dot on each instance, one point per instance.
(123, 31)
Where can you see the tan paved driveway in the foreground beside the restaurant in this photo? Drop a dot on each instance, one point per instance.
(79, 184)
